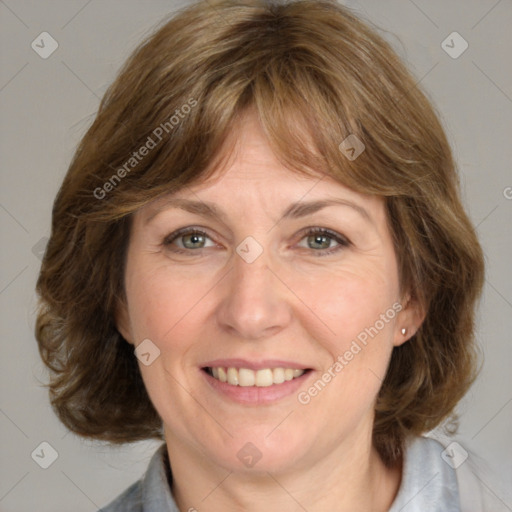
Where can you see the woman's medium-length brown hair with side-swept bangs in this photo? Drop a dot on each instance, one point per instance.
(314, 74)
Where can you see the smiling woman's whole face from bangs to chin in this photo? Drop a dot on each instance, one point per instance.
(263, 275)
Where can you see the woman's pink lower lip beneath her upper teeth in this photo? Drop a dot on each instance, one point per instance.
(255, 395)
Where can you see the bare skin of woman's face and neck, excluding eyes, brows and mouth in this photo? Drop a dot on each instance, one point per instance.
(290, 304)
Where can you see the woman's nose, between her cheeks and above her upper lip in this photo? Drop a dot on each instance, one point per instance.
(255, 303)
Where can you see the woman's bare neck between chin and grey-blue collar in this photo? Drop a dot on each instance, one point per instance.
(351, 478)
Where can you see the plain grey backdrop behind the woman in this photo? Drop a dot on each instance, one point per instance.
(47, 104)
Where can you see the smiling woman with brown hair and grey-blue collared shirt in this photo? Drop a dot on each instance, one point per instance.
(259, 255)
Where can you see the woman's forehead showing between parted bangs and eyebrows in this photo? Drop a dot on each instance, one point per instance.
(249, 173)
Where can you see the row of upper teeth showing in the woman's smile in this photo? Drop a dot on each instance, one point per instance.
(261, 378)
